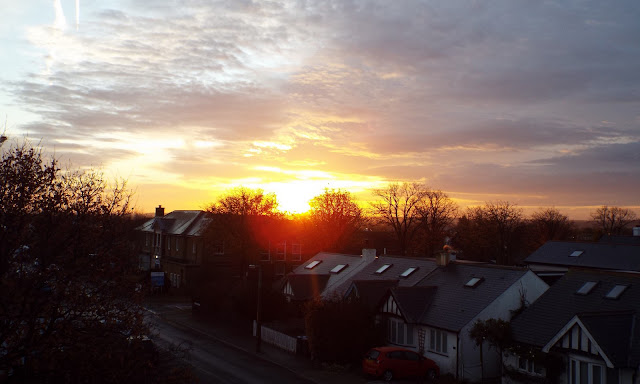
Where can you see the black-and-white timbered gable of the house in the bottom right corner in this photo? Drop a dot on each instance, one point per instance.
(575, 336)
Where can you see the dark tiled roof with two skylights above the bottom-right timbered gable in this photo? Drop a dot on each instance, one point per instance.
(610, 321)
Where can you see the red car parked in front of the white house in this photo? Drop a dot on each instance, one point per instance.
(390, 362)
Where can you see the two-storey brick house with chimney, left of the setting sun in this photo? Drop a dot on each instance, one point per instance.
(173, 243)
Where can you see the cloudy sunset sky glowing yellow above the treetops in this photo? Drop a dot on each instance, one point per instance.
(532, 102)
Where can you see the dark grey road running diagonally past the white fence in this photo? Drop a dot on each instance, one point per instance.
(215, 361)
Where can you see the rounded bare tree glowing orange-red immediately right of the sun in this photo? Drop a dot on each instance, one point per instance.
(336, 217)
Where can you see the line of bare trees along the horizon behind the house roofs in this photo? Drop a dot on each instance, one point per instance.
(412, 219)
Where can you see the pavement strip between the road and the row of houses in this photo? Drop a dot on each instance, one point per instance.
(238, 333)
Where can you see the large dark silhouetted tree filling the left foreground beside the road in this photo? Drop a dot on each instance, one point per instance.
(71, 298)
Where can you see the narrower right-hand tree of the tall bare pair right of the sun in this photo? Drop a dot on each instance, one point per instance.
(437, 214)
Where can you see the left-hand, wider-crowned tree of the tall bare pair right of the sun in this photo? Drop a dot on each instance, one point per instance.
(399, 207)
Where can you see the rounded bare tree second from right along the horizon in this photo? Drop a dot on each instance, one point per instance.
(550, 224)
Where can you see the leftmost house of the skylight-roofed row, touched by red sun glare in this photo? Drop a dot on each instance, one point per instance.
(325, 275)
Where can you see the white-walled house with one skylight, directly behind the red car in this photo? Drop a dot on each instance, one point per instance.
(434, 316)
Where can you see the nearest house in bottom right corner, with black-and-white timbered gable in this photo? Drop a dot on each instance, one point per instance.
(584, 329)
